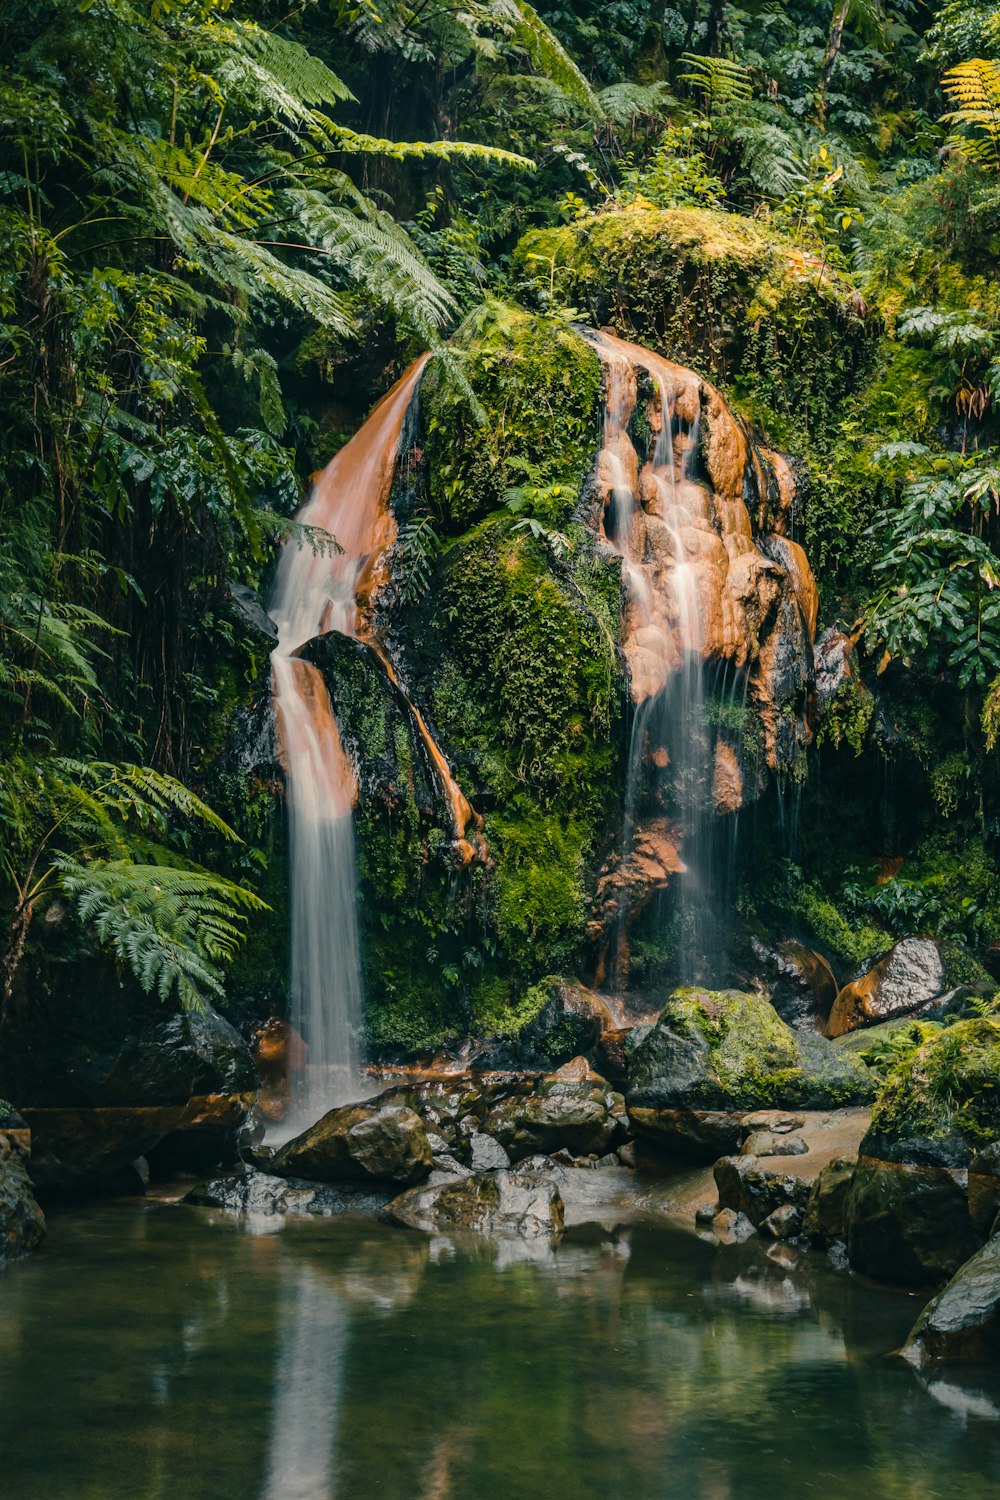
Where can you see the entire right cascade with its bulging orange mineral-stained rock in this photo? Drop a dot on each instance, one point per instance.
(716, 622)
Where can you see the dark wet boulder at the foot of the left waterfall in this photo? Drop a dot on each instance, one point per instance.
(382, 1142)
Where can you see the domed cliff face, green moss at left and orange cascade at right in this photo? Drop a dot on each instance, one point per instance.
(540, 641)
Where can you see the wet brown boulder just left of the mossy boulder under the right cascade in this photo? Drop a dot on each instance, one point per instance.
(558, 1115)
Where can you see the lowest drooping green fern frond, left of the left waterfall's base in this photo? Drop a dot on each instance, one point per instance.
(172, 928)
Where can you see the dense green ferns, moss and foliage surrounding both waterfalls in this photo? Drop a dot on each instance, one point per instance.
(227, 227)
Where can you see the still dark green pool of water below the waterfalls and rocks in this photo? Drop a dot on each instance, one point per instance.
(157, 1351)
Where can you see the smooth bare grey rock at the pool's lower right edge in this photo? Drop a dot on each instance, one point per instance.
(963, 1321)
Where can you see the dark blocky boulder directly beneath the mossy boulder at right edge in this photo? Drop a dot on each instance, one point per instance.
(908, 1225)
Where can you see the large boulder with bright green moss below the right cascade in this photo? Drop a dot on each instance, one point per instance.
(729, 1051)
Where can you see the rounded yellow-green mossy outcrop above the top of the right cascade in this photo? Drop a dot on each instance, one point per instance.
(719, 292)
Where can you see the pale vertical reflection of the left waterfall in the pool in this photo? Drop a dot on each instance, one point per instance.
(308, 1393)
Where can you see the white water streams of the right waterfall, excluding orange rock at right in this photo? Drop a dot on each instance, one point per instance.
(656, 520)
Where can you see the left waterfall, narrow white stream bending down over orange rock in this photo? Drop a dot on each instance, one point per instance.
(317, 592)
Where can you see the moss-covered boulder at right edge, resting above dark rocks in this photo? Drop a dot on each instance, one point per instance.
(942, 1102)
